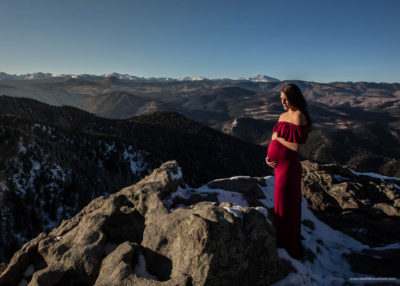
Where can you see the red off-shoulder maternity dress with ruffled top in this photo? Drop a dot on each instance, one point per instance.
(287, 195)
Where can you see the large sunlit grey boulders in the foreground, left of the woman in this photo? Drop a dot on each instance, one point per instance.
(134, 238)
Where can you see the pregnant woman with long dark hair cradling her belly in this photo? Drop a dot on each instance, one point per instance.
(289, 132)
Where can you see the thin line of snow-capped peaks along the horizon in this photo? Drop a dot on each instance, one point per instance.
(43, 76)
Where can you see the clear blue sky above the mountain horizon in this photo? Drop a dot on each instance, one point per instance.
(320, 41)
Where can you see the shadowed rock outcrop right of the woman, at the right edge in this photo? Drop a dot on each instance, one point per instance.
(364, 207)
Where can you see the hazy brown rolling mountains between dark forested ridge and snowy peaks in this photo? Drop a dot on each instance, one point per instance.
(355, 124)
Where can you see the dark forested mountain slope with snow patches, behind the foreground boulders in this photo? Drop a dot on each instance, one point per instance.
(55, 159)
